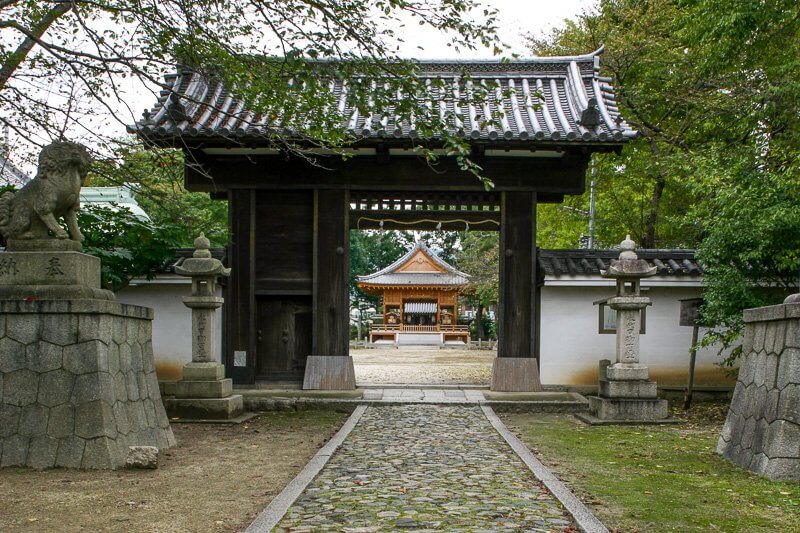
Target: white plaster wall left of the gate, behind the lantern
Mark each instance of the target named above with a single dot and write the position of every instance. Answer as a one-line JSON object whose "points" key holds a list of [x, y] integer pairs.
{"points": [[172, 325]]}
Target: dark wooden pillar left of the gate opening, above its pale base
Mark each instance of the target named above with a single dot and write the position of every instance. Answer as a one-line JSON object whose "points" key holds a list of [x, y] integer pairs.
{"points": [[331, 310]]}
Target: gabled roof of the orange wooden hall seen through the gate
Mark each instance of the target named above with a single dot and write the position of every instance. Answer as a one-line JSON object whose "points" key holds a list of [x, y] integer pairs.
{"points": [[392, 275]]}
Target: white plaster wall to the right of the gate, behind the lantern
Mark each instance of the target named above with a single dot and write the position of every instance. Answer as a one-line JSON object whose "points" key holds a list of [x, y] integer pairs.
{"points": [[571, 345]]}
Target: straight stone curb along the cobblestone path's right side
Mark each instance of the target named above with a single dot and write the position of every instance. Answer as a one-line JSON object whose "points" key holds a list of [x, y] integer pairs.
{"points": [[584, 519]]}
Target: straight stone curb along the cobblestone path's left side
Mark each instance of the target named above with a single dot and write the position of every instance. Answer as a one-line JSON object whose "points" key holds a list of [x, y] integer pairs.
{"points": [[273, 513]]}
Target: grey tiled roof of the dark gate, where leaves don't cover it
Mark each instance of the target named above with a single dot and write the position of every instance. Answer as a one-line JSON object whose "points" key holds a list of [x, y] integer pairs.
{"points": [[542, 100]]}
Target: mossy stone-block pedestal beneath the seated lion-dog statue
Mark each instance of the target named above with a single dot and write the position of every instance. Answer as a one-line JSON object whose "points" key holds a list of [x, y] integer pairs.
{"points": [[77, 378]]}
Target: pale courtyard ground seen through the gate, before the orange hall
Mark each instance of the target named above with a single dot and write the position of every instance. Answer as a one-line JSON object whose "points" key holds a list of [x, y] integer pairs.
{"points": [[423, 366]]}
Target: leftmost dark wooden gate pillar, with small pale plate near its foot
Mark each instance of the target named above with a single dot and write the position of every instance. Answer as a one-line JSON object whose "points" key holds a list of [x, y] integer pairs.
{"points": [[240, 309]]}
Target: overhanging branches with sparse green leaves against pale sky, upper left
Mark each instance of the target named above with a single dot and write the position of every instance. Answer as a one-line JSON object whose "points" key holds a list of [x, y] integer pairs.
{"points": [[70, 68]]}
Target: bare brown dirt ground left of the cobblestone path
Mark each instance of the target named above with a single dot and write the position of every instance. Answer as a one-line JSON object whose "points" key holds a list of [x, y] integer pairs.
{"points": [[218, 478]]}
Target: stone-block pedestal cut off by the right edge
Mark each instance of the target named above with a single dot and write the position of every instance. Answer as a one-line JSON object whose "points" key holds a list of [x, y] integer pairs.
{"points": [[762, 430]]}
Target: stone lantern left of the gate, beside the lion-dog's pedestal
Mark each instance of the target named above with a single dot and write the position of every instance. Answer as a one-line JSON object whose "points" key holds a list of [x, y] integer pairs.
{"points": [[204, 392]]}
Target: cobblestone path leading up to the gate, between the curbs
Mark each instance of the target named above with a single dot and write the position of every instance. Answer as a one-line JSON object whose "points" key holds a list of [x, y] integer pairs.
{"points": [[425, 467]]}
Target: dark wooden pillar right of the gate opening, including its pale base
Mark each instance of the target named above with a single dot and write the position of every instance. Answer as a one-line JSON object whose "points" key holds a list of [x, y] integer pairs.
{"points": [[516, 367]]}
